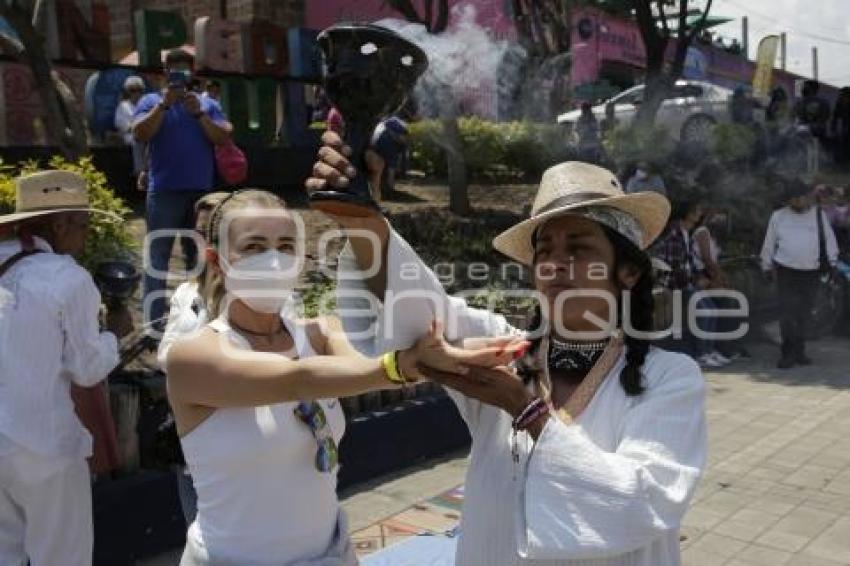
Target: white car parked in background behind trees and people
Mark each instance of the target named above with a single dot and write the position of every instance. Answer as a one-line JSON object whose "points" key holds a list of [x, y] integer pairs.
{"points": [[689, 112]]}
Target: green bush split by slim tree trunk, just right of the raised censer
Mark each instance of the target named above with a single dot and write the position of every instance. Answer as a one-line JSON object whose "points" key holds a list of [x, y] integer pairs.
{"points": [[491, 149]]}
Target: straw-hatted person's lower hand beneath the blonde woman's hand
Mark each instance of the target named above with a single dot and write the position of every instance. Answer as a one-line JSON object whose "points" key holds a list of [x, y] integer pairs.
{"points": [[499, 386]]}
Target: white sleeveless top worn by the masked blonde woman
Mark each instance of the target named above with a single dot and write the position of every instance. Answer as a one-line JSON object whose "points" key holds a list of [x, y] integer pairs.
{"points": [[261, 500]]}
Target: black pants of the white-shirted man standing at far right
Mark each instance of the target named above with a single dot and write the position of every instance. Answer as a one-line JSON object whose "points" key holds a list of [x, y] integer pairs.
{"points": [[796, 294]]}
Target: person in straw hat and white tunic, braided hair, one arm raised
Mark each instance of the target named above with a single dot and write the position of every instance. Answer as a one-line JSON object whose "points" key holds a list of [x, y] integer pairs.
{"points": [[590, 453]]}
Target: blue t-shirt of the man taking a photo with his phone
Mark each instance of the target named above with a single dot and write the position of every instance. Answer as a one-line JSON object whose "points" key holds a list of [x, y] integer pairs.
{"points": [[181, 156]]}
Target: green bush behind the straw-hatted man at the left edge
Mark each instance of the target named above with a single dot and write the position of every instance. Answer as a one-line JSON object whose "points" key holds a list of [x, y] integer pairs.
{"points": [[107, 238]]}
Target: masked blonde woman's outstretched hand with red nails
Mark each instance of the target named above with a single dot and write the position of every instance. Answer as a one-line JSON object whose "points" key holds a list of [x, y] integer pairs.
{"points": [[434, 352]]}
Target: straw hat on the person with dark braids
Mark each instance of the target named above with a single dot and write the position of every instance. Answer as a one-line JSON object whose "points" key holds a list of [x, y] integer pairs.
{"points": [[573, 187]]}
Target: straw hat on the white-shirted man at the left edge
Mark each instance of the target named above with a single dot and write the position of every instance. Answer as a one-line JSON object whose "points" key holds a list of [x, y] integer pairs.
{"points": [[49, 192]]}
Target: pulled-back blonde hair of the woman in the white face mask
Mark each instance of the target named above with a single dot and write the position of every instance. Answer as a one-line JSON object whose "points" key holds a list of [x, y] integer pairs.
{"points": [[213, 290]]}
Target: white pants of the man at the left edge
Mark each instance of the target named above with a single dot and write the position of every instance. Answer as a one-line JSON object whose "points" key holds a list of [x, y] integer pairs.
{"points": [[45, 511]]}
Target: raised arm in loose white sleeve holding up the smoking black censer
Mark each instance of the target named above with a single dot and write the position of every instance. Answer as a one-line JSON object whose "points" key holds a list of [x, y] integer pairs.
{"points": [[386, 295]]}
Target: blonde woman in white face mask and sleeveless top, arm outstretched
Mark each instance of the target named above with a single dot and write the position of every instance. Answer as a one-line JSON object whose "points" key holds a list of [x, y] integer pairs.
{"points": [[254, 393]]}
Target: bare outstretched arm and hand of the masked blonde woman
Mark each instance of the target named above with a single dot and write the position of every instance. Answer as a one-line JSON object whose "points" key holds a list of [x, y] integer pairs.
{"points": [[208, 370]]}
